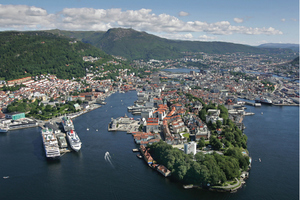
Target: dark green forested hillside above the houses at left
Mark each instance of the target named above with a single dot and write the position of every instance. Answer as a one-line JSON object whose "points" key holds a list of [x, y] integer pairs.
{"points": [[25, 54]]}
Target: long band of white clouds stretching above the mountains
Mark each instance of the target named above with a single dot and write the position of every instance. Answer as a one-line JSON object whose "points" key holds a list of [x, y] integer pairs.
{"points": [[29, 17]]}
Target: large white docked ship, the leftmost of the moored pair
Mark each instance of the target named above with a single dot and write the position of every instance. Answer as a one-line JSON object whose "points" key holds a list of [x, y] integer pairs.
{"points": [[50, 144]]}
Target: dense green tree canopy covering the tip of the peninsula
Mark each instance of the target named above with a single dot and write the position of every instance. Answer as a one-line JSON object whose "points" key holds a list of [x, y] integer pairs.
{"points": [[203, 169]]}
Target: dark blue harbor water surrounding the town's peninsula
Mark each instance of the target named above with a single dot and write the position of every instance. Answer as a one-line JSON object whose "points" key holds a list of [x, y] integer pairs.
{"points": [[106, 167]]}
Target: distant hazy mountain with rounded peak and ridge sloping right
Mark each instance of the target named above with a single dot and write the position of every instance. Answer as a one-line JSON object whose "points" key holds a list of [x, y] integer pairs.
{"points": [[133, 44]]}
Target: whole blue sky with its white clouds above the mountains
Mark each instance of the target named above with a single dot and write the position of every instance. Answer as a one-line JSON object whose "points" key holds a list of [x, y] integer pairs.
{"points": [[250, 22]]}
